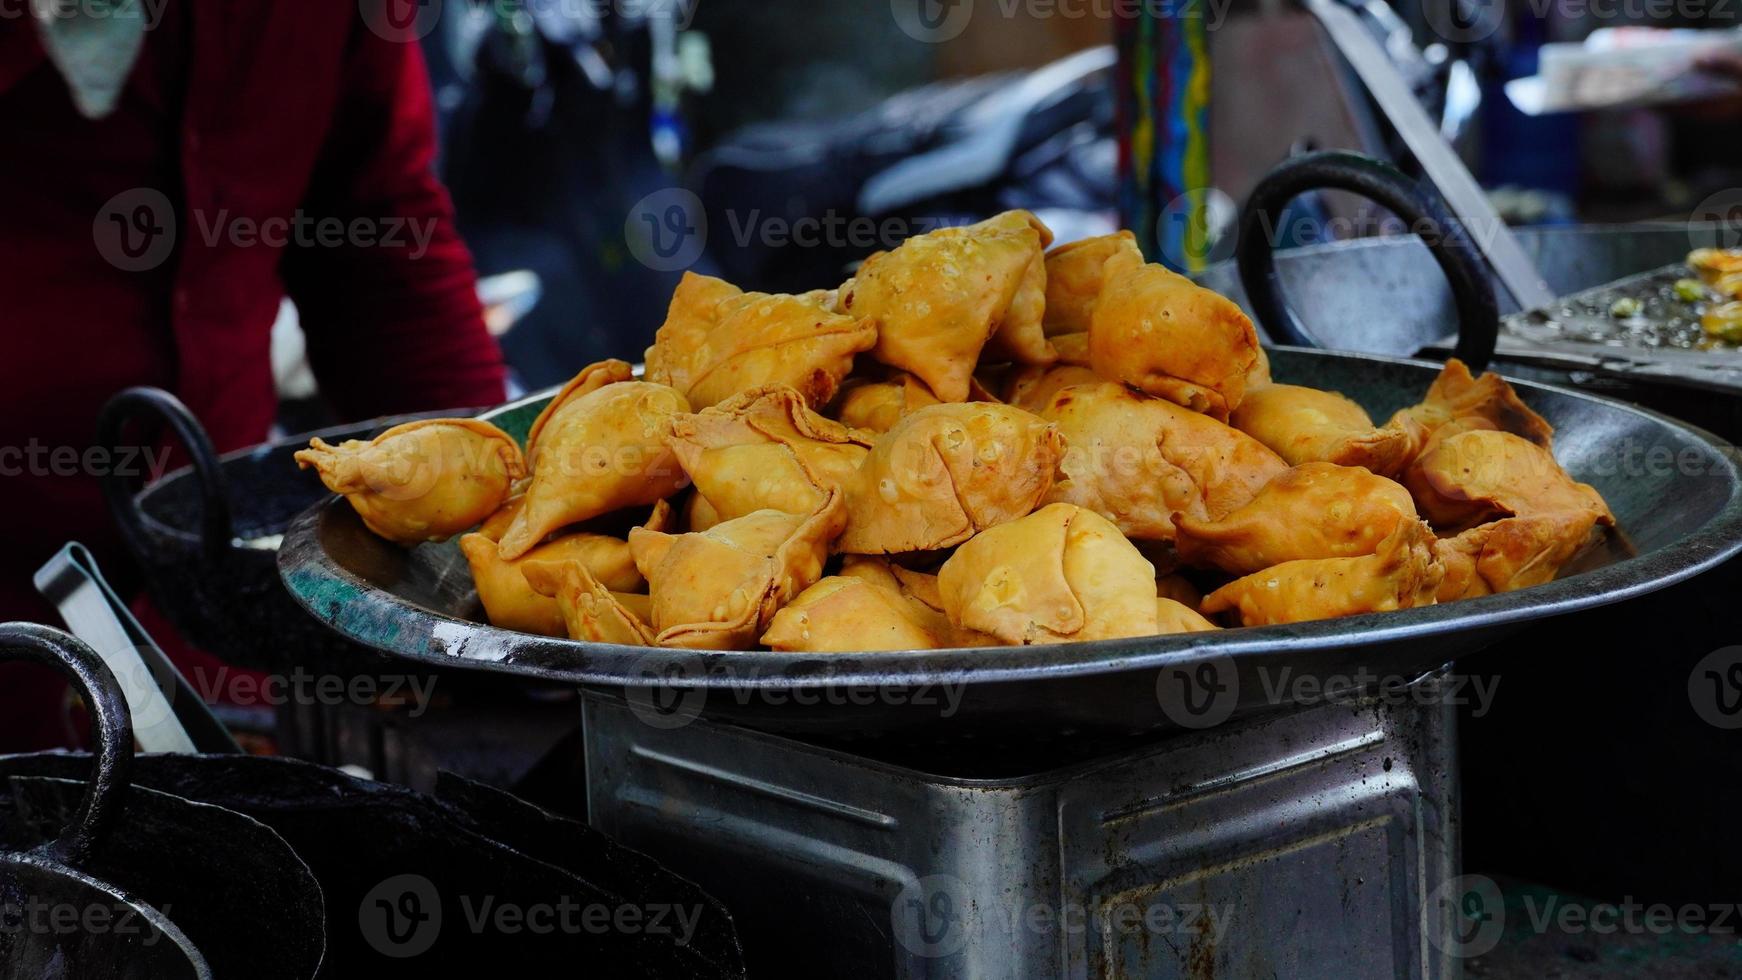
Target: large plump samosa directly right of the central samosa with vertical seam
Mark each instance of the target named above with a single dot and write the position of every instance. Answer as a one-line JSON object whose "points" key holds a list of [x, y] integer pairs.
{"points": [[1138, 460]]}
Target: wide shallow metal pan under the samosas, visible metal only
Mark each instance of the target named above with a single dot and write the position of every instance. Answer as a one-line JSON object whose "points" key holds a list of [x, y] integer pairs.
{"points": [[1675, 492]]}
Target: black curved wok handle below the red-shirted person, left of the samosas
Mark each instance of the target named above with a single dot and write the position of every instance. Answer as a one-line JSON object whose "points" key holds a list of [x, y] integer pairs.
{"points": [[119, 493]]}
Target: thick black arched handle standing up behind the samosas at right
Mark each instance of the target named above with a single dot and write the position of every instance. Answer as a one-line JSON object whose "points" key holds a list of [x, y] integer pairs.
{"points": [[1389, 187]]}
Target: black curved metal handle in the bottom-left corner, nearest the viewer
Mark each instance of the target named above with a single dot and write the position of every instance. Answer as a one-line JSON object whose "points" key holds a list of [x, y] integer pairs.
{"points": [[111, 720]]}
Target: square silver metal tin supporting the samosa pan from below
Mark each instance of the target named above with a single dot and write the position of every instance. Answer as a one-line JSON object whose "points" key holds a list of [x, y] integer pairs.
{"points": [[1297, 845]]}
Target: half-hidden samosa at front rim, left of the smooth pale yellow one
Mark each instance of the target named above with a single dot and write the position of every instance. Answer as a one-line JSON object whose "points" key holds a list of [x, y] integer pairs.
{"points": [[867, 607]]}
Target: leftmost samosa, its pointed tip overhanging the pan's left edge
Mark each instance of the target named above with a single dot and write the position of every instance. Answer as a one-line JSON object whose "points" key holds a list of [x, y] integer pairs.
{"points": [[422, 481]]}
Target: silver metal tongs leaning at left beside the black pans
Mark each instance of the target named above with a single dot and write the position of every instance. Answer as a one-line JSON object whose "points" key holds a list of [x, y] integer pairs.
{"points": [[168, 715]]}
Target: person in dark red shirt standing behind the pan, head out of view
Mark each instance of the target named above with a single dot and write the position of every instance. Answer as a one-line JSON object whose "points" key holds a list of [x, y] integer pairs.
{"points": [[163, 185]]}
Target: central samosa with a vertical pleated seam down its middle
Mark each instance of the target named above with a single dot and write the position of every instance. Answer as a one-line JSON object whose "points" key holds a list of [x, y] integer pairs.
{"points": [[947, 473]]}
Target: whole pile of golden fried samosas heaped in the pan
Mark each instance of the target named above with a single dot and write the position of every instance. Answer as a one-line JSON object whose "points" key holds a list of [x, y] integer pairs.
{"points": [[975, 441]]}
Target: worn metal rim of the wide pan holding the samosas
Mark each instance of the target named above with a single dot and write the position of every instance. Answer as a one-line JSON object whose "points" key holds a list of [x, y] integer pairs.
{"points": [[490, 648]]}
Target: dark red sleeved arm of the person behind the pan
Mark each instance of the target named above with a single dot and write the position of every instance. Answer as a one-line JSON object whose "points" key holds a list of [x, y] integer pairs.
{"points": [[391, 314]]}
